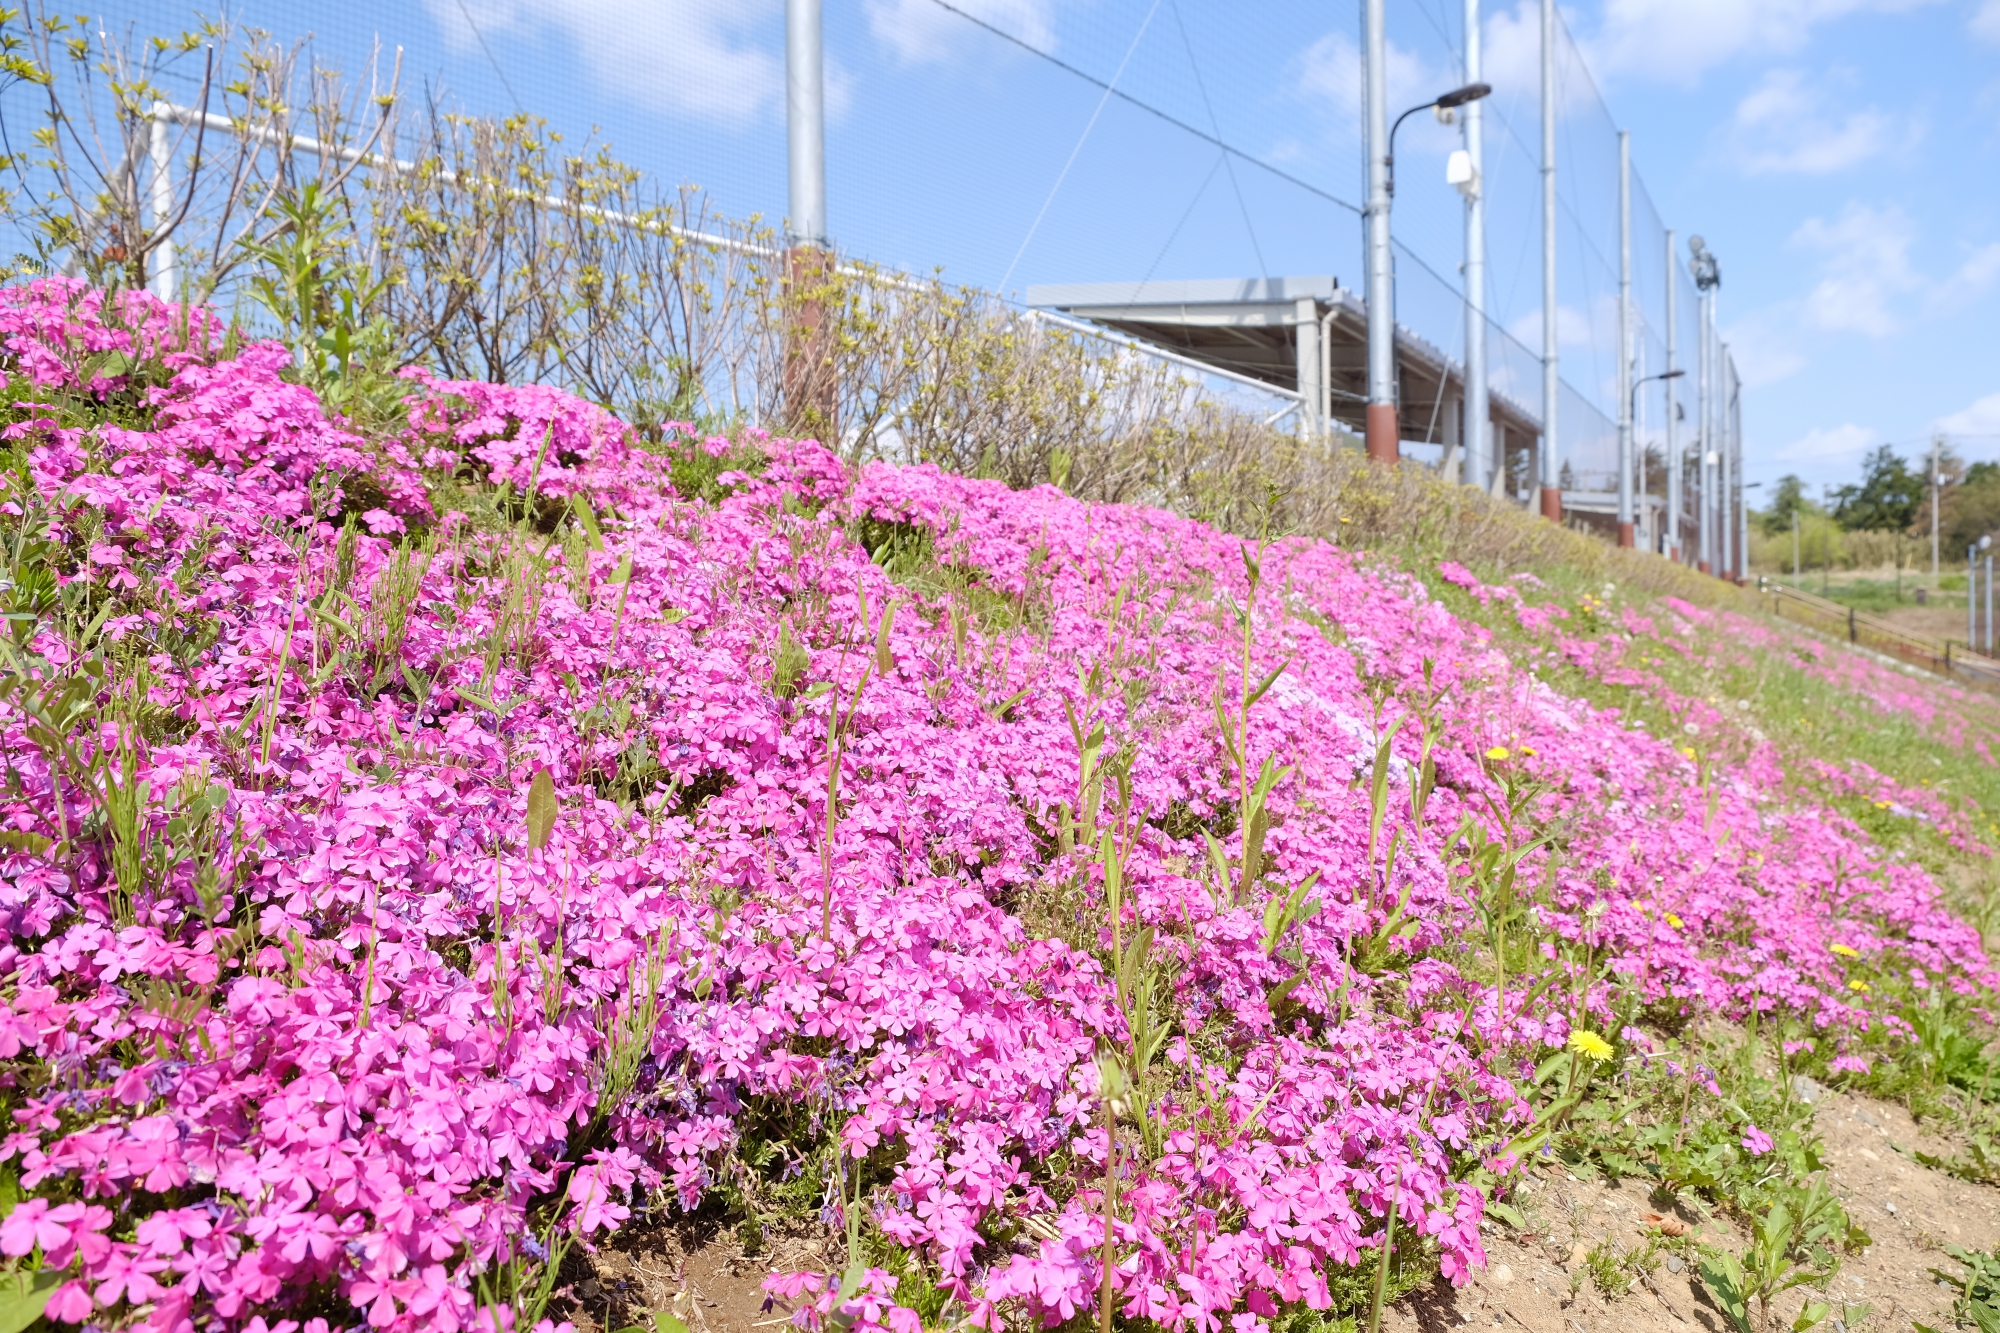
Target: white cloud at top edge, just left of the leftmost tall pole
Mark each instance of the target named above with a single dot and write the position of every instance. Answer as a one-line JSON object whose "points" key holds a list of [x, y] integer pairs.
{"points": [[713, 59]]}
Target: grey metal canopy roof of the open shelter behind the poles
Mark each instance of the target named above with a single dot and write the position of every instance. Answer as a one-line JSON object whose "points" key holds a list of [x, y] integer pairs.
{"points": [[1251, 327]]}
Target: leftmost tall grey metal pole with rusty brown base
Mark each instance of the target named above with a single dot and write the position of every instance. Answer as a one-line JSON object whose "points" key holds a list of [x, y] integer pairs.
{"points": [[809, 389]]}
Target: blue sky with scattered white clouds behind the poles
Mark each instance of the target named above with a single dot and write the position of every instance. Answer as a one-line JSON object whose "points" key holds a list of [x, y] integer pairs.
{"points": [[1839, 157]]}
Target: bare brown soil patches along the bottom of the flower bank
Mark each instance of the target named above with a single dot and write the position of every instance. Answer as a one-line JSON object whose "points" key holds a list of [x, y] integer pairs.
{"points": [[1535, 1280]]}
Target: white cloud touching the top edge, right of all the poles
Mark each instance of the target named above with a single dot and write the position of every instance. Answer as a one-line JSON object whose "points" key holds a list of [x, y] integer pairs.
{"points": [[1677, 41]]}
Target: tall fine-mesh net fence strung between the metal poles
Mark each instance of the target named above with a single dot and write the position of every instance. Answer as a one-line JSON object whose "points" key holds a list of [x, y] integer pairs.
{"points": [[1001, 145]]}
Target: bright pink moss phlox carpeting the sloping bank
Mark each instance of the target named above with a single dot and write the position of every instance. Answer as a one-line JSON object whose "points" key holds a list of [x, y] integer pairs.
{"points": [[429, 848]]}
